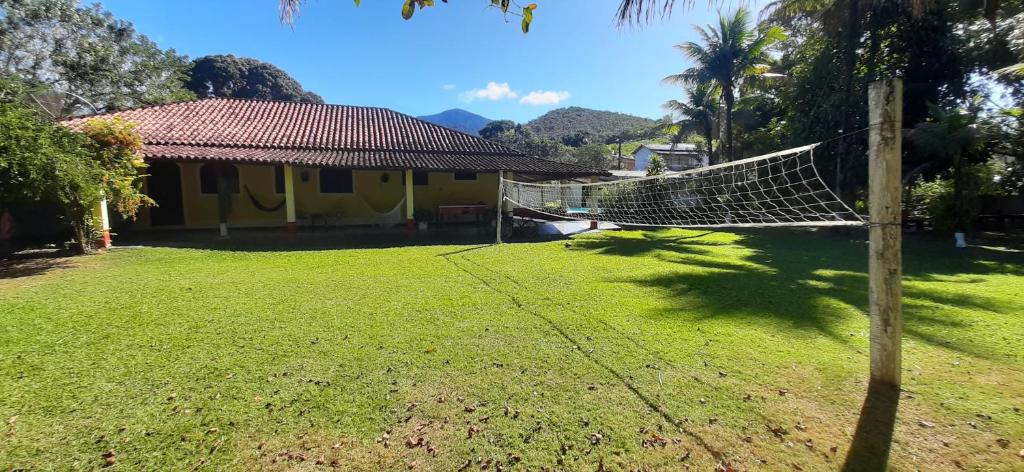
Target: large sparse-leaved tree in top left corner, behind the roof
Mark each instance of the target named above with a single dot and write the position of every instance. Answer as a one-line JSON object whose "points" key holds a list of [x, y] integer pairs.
{"points": [[89, 55]]}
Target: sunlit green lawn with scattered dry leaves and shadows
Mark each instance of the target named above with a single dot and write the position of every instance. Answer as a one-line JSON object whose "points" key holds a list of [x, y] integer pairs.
{"points": [[627, 351]]}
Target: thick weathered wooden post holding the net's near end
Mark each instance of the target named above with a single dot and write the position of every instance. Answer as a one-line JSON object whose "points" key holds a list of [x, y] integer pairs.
{"points": [[885, 195]]}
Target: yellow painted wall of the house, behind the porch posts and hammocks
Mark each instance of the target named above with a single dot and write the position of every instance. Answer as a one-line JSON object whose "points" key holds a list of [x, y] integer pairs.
{"points": [[370, 198]]}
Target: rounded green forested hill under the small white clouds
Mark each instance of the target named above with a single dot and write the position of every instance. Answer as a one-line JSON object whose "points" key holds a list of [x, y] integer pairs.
{"points": [[562, 123]]}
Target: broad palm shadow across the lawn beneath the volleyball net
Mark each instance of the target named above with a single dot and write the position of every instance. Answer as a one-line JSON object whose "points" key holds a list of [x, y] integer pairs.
{"points": [[804, 279]]}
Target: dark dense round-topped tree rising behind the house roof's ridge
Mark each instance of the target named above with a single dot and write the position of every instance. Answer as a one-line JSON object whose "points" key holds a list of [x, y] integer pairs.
{"points": [[228, 76]]}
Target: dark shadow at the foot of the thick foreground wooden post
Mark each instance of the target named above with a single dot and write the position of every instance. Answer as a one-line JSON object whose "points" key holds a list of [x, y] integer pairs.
{"points": [[873, 439]]}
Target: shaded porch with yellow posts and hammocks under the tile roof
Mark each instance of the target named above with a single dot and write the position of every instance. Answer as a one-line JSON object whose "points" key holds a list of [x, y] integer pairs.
{"points": [[212, 195]]}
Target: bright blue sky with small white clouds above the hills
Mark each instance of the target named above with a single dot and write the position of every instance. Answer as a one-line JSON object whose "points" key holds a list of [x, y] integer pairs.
{"points": [[460, 55]]}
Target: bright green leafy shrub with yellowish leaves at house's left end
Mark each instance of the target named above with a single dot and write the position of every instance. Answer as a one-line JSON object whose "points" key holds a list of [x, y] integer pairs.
{"points": [[45, 161]]}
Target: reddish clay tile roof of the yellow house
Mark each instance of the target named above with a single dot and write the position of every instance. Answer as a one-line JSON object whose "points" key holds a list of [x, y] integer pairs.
{"points": [[316, 135]]}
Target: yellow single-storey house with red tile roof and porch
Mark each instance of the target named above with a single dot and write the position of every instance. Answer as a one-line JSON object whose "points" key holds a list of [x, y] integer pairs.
{"points": [[217, 162]]}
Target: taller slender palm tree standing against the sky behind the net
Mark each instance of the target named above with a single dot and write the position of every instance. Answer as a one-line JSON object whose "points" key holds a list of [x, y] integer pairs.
{"points": [[732, 55]]}
